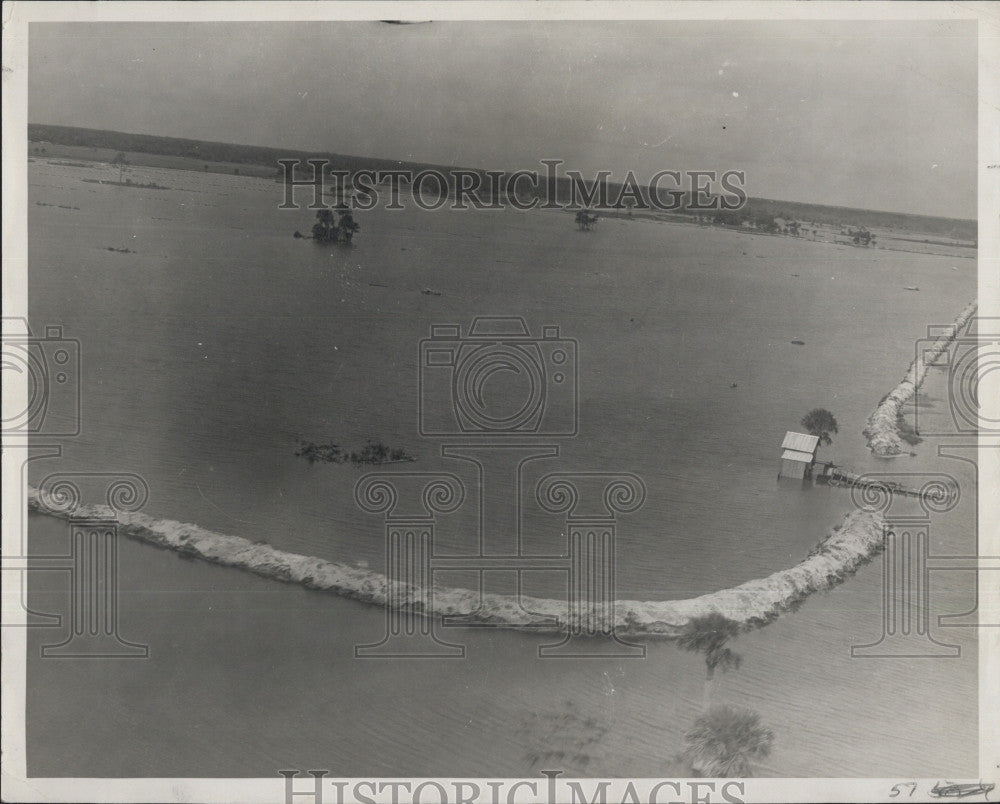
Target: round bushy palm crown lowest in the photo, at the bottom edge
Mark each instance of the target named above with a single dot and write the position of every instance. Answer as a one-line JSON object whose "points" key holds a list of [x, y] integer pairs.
{"points": [[725, 742]]}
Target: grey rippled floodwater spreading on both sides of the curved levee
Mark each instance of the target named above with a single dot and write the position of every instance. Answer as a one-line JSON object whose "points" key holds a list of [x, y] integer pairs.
{"points": [[220, 341]]}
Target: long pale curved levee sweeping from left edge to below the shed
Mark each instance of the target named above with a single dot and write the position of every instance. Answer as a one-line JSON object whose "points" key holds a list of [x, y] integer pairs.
{"points": [[754, 604]]}
